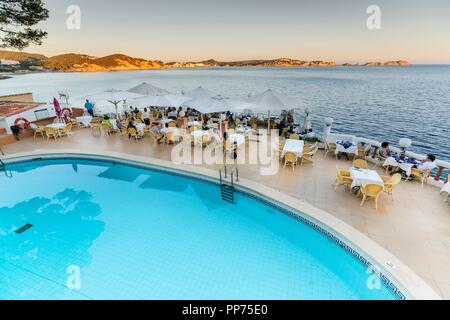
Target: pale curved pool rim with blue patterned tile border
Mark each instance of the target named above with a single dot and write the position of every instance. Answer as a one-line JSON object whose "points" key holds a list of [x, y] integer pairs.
{"points": [[400, 276]]}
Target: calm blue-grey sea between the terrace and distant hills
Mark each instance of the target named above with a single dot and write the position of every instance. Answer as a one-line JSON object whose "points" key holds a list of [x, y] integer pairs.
{"points": [[380, 103]]}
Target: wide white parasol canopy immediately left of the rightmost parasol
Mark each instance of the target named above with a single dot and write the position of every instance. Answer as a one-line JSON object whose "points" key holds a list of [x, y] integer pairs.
{"points": [[218, 104]]}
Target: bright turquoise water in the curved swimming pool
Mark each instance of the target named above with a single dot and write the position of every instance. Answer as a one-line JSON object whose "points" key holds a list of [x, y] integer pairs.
{"points": [[134, 233]]}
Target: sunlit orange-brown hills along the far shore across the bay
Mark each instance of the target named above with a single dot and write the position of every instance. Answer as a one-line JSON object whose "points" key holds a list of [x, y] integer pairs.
{"points": [[73, 62]]}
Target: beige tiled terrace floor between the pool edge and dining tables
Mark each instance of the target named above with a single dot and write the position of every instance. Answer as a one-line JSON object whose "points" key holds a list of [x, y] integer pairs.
{"points": [[415, 227]]}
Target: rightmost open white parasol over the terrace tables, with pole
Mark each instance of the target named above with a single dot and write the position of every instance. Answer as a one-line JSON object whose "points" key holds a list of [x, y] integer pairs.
{"points": [[271, 100]]}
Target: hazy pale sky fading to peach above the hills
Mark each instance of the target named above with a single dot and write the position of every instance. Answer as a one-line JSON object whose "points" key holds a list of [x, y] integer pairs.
{"points": [[415, 30]]}
